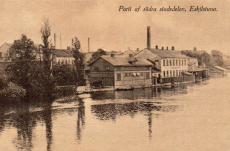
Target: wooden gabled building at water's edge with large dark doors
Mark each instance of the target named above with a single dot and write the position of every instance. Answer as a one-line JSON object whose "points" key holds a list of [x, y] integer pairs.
{"points": [[120, 72]]}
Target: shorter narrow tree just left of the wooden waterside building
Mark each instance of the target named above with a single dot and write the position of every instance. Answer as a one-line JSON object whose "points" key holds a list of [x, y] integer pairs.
{"points": [[78, 62]]}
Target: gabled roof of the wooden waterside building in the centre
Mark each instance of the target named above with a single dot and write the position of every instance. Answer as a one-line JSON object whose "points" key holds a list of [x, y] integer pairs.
{"points": [[124, 61]]}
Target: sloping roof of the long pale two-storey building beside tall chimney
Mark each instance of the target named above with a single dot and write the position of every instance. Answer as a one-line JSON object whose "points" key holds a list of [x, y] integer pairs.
{"points": [[167, 53]]}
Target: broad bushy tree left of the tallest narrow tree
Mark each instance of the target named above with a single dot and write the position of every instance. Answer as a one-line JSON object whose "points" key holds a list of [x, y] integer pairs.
{"points": [[22, 54]]}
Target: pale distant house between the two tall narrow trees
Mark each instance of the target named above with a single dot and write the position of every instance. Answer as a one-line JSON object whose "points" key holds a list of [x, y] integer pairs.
{"points": [[61, 57]]}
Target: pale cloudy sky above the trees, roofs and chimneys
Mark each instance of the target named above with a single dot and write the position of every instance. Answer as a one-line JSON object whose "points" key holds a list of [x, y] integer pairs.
{"points": [[110, 29]]}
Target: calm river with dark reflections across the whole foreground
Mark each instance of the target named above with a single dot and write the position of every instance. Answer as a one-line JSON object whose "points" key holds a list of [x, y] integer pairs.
{"points": [[189, 117]]}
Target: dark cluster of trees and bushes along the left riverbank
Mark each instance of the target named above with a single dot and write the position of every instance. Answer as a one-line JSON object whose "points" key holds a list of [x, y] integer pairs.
{"points": [[31, 73]]}
